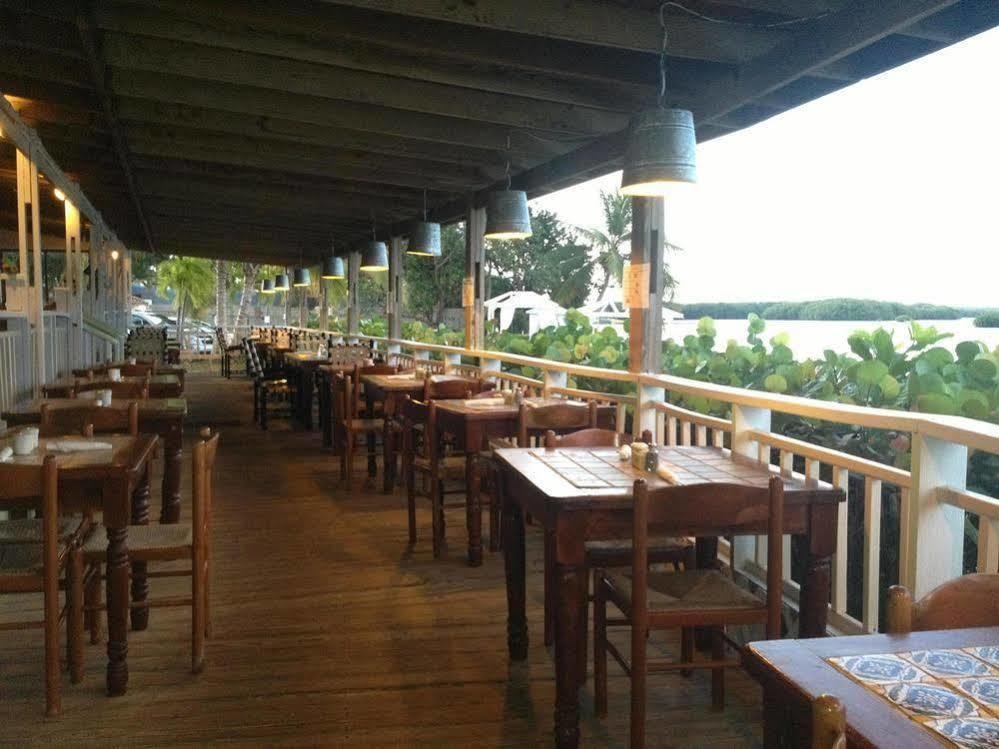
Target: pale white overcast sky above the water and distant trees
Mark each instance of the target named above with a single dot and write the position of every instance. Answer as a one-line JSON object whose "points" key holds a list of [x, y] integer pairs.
{"points": [[887, 189]]}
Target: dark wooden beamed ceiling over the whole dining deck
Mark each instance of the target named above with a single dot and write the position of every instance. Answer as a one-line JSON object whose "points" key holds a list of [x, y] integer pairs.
{"points": [[262, 130]]}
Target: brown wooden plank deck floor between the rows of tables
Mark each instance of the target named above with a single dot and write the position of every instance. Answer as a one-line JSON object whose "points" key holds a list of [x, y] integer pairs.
{"points": [[331, 631]]}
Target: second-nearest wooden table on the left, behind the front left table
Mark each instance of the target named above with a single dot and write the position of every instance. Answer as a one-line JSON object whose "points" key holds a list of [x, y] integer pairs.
{"points": [[160, 416]]}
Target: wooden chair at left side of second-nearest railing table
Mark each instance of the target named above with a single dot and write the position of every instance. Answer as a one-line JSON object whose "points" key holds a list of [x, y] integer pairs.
{"points": [[423, 441]]}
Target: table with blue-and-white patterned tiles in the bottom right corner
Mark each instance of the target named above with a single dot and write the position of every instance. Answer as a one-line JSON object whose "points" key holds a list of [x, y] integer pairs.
{"points": [[872, 687]]}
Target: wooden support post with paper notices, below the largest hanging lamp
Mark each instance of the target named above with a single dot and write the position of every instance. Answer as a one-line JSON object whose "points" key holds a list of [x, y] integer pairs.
{"points": [[647, 243]]}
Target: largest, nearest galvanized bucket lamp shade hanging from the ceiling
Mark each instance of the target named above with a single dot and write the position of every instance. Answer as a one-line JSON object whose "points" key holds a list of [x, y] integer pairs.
{"points": [[661, 153]]}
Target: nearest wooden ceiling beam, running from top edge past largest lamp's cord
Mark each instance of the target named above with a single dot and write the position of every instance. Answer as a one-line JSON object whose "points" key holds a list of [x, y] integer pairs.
{"points": [[591, 22]]}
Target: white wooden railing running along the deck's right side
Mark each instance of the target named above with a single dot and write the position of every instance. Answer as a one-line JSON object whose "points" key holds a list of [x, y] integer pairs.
{"points": [[933, 498]]}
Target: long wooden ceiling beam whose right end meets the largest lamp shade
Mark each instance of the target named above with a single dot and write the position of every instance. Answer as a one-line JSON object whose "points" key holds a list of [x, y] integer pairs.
{"points": [[245, 69]]}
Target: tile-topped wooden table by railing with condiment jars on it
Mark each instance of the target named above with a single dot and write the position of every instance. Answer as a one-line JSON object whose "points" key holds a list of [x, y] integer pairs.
{"points": [[591, 501]]}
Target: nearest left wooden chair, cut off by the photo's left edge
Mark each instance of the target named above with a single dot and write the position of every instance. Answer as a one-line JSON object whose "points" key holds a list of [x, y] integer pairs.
{"points": [[34, 563]]}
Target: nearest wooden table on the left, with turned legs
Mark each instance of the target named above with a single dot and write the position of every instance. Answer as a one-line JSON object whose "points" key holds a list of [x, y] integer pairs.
{"points": [[116, 483]]}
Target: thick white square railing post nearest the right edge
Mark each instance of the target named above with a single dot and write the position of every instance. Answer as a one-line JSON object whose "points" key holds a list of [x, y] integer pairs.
{"points": [[935, 543]]}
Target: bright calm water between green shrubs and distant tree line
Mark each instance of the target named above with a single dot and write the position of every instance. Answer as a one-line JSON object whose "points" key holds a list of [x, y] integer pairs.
{"points": [[809, 338]]}
